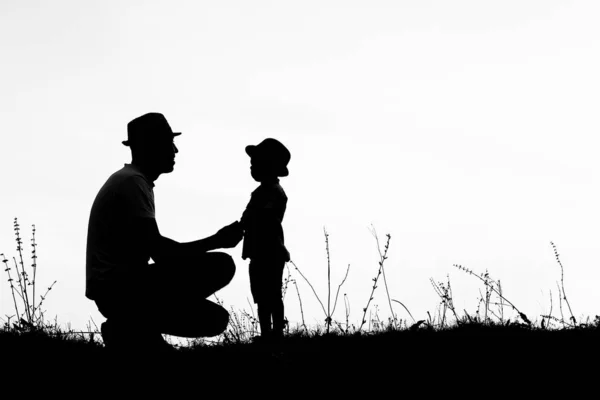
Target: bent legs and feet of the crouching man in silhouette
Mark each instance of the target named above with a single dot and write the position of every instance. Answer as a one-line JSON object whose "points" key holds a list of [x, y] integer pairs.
{"points": [[167, 298]]}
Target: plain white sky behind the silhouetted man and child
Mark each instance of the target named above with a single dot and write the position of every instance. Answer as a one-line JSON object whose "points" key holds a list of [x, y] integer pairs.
{"points": [[465, 129]]}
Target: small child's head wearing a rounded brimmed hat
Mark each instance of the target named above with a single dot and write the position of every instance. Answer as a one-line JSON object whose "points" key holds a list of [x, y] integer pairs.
{"points": [[268, 160]]}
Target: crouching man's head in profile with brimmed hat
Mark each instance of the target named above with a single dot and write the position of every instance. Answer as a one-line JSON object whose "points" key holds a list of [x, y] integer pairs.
{"points": [[150, 138]]}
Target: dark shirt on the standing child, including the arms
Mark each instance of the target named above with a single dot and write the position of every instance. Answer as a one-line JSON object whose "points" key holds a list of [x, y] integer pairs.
{"points": [[261, 221]]}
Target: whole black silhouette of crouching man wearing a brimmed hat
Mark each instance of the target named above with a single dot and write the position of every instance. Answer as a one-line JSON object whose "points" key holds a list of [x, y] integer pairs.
{"points": [[143, 300]]}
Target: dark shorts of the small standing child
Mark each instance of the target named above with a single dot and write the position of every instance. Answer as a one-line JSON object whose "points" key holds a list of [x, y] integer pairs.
{"points": [[266, 280]]}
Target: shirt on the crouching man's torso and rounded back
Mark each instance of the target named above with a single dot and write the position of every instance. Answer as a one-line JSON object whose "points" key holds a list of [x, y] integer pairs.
{"points": [[113, 249]]}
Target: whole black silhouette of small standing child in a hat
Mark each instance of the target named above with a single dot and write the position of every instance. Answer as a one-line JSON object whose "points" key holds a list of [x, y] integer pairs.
{"points": [[263, 234]]}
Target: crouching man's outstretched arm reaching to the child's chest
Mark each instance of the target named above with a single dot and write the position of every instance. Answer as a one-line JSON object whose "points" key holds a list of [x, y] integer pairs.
{"points": [[161, 248]]}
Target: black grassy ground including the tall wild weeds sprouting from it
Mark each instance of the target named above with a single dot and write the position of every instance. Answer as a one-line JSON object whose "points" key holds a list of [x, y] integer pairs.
{"points": [[473, 356]]}
